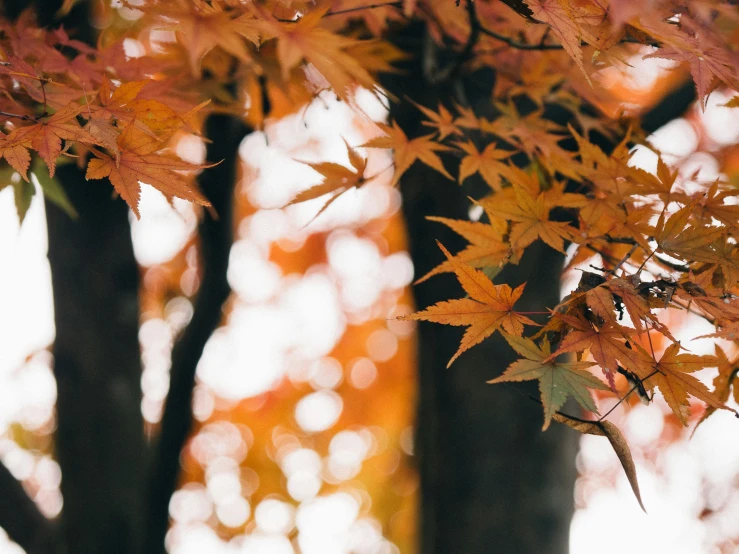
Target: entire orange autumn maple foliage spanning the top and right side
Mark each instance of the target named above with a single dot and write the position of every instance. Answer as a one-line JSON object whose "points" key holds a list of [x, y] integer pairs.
{"points": [[656, 243]]}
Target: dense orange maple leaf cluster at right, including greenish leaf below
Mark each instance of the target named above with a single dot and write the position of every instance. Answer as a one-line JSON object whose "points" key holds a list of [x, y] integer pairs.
{"points": [[638, 225]]}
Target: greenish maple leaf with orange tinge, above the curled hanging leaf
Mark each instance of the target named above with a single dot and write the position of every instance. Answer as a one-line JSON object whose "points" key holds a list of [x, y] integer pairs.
{"points": [[557, 380]]}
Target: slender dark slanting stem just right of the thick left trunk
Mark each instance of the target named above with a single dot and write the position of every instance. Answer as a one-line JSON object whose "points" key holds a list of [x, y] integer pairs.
{"points": [[216, 237]]}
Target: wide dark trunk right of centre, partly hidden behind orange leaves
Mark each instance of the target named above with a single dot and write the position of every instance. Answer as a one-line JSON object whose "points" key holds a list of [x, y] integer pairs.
{"points": [[490, 480]]}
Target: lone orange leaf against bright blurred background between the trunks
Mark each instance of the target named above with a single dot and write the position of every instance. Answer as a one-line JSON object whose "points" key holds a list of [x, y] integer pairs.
{"points": [[337, 179]]}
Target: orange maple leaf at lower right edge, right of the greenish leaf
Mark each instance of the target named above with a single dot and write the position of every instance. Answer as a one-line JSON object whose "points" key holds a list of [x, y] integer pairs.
{"points": [[672, 375]]}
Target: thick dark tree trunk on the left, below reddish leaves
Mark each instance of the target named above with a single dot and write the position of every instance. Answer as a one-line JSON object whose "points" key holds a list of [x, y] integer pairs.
{"points": [[99, 441]]}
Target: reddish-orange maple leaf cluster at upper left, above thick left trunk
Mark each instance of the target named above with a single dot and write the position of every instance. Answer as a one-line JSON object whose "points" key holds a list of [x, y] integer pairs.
{"points": [[61, 100]]}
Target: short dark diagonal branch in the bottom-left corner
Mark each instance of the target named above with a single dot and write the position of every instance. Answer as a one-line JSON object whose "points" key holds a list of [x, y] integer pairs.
{"points": [[21, 518]]}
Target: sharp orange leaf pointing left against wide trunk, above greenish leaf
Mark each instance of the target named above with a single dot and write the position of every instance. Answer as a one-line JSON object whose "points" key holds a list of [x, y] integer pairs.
{"points": [[489, 307]]}
